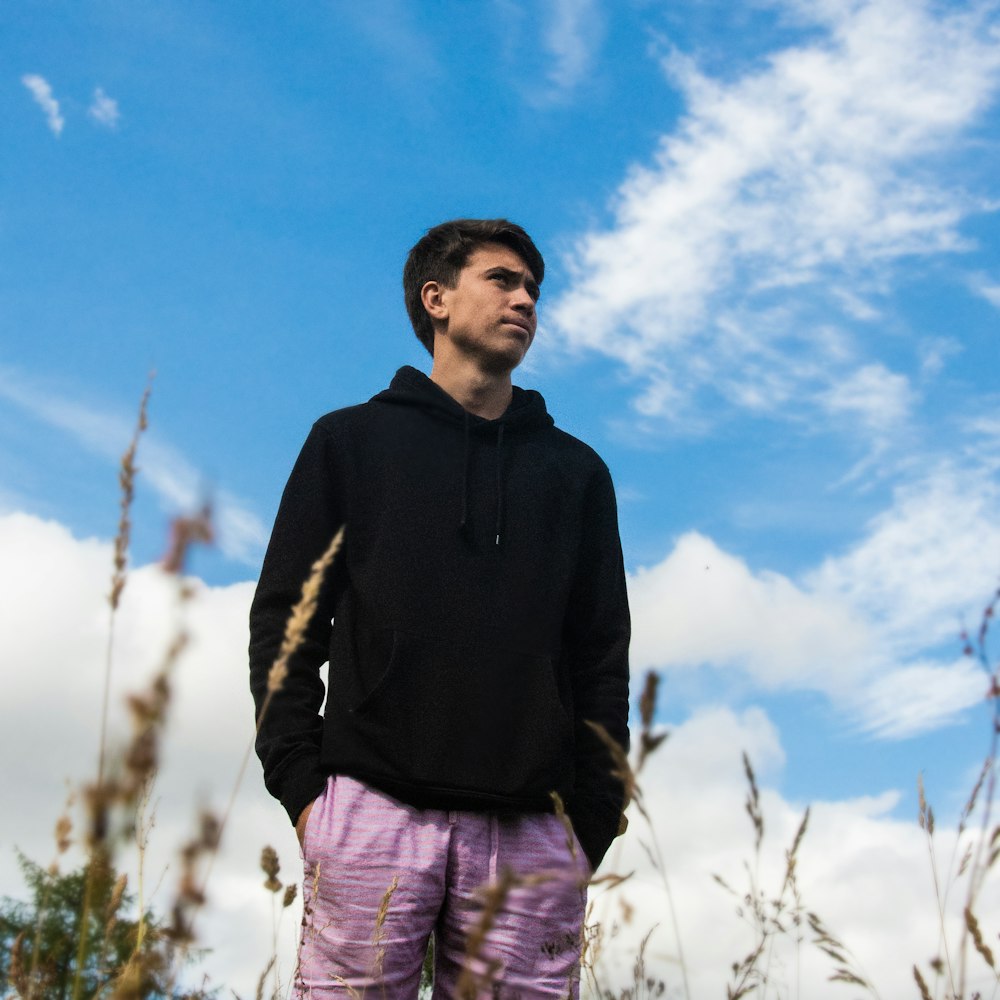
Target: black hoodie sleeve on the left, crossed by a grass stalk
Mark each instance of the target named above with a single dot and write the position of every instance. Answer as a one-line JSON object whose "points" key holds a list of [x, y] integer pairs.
{"points": [[290, 731]]}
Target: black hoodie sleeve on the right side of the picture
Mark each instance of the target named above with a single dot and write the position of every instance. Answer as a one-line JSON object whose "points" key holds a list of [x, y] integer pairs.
{"points": [[597, 636]]}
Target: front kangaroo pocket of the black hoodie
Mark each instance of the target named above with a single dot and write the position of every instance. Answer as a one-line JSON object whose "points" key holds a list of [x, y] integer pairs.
{"points": [[474, 718]]}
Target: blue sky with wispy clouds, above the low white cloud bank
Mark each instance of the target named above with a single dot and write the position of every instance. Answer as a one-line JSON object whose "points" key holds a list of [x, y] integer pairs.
{"points": [[771, 304]]}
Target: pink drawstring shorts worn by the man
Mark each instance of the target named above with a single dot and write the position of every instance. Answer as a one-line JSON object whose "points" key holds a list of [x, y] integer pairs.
{"points": [[381, 876]]}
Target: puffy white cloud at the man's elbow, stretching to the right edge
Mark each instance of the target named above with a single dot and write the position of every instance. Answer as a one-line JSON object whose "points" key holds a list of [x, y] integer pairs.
{"points": [[861, 627]]}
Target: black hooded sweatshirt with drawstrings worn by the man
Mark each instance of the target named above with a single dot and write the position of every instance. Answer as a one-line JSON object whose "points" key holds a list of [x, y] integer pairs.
{"points": [[474, 620]]}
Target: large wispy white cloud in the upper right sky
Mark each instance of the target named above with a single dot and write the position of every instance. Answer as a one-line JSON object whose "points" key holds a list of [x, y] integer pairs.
{"points": [[780, 197]]}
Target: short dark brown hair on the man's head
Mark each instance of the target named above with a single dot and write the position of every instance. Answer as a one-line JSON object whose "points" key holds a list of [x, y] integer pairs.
{"points": [[443, 251]]}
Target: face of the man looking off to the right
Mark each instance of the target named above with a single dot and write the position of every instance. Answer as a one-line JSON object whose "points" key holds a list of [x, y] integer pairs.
{"points": [[491, 309]]}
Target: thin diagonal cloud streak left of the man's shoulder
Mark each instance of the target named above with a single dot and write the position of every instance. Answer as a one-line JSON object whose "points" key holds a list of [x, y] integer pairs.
{"points": [[180, 487]]}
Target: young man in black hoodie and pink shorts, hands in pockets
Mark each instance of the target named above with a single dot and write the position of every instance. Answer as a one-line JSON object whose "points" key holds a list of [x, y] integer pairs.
{"points": [[475, 621]]}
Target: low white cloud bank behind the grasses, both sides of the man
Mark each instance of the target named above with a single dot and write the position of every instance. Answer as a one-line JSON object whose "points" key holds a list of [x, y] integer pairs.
{"points": [[53, 616]]}
